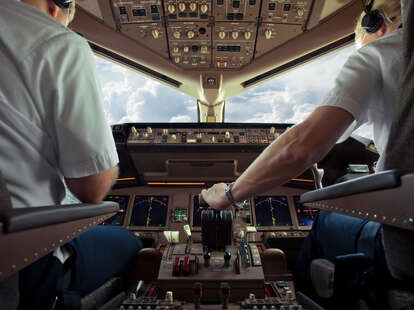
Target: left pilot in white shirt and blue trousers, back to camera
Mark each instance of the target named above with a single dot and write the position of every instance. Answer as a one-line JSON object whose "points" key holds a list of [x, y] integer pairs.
{"points": [[54, 132]]}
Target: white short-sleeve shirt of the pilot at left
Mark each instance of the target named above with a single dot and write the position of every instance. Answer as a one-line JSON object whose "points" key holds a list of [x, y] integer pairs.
{"points": [[52, 121]]}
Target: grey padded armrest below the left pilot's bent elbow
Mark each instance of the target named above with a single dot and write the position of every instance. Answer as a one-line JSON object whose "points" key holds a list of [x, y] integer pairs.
{"points": [[19, 219]]}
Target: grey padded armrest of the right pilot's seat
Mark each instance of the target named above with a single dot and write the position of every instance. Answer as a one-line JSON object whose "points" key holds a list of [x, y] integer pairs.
{"points": [[375, 182]]}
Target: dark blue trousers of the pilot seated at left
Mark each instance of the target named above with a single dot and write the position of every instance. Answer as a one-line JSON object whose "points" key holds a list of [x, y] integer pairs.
{"points": [[99, 255]]}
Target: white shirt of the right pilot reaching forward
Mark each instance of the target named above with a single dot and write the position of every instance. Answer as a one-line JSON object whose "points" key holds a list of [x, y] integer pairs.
{"points": [[368, 86]]}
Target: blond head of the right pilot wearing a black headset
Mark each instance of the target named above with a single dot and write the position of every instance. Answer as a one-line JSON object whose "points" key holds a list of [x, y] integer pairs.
{"points": [[390, 12]]}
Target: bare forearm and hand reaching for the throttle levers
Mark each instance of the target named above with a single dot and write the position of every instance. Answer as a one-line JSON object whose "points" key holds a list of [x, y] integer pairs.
{"points": [[294, 152]]}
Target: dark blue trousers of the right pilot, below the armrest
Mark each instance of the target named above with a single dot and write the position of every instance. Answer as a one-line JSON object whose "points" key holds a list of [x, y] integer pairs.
{"points": [[334, 235]]}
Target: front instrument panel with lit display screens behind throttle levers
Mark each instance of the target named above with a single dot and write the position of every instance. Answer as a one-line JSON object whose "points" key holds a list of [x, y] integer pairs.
{"points": [[148, 211]]}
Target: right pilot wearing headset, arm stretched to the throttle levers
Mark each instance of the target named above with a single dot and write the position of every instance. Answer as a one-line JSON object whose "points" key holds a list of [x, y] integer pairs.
{"points": [[365, 91]]}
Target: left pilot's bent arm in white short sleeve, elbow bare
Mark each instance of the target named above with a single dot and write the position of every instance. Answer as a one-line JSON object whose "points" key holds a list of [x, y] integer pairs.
{"points": [[85, 147]]}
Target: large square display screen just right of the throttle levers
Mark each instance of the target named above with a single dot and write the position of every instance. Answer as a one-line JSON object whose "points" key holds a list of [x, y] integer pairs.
{"points": [[272, 211]]}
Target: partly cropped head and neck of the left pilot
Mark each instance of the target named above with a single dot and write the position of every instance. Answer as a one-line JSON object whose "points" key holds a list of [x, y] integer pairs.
{"points": [[50, 7]]}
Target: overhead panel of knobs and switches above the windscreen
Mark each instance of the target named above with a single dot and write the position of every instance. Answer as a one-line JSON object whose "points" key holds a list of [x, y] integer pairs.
{"points": [[211, 34]]}
